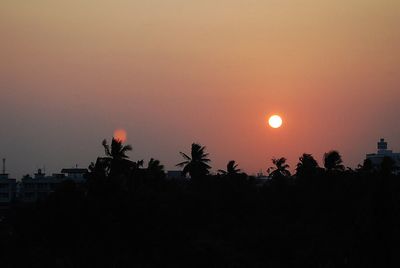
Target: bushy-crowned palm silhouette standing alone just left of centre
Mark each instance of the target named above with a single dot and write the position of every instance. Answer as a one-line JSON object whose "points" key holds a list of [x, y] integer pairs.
{"points": [[196, 164]]}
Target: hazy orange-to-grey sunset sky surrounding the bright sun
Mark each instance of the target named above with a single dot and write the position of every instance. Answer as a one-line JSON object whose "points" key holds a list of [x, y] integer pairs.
{"points": [[173, 72]]}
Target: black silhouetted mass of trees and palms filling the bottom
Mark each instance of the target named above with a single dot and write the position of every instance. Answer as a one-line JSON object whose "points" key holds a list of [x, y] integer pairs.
{"points": [[130, 216]]}
